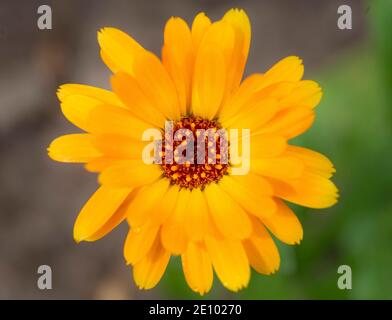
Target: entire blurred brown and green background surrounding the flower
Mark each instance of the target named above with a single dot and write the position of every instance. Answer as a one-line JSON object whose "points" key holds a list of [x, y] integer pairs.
{"points": [[40, 199]]}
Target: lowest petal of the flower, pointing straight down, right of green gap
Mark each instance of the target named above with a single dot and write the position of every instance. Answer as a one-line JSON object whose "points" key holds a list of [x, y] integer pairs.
{"points": [[197, 268]]}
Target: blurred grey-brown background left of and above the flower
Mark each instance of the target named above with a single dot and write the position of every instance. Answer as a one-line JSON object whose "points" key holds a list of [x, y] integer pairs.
{"points": [[40, 199]]}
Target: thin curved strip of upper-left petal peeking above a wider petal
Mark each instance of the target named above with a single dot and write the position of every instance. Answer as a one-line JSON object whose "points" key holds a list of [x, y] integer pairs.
{"points": [[103, 96]]}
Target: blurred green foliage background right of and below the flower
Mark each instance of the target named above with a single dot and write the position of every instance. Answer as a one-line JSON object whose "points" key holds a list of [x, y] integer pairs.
{"points": [[353, 127]]}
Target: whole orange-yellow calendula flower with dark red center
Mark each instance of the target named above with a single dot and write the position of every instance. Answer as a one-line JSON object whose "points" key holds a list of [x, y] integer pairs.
{"points": [[214, 219]]}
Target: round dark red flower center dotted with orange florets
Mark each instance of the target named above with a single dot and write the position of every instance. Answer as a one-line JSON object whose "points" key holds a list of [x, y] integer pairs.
{"points": [[209, 159]]}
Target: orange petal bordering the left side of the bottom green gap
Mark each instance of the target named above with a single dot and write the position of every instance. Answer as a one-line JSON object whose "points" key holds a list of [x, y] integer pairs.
{"points": [[148, 271]]}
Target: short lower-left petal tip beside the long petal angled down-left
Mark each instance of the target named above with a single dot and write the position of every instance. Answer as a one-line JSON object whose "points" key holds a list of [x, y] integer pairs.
{"points": [[139, 242]]}
